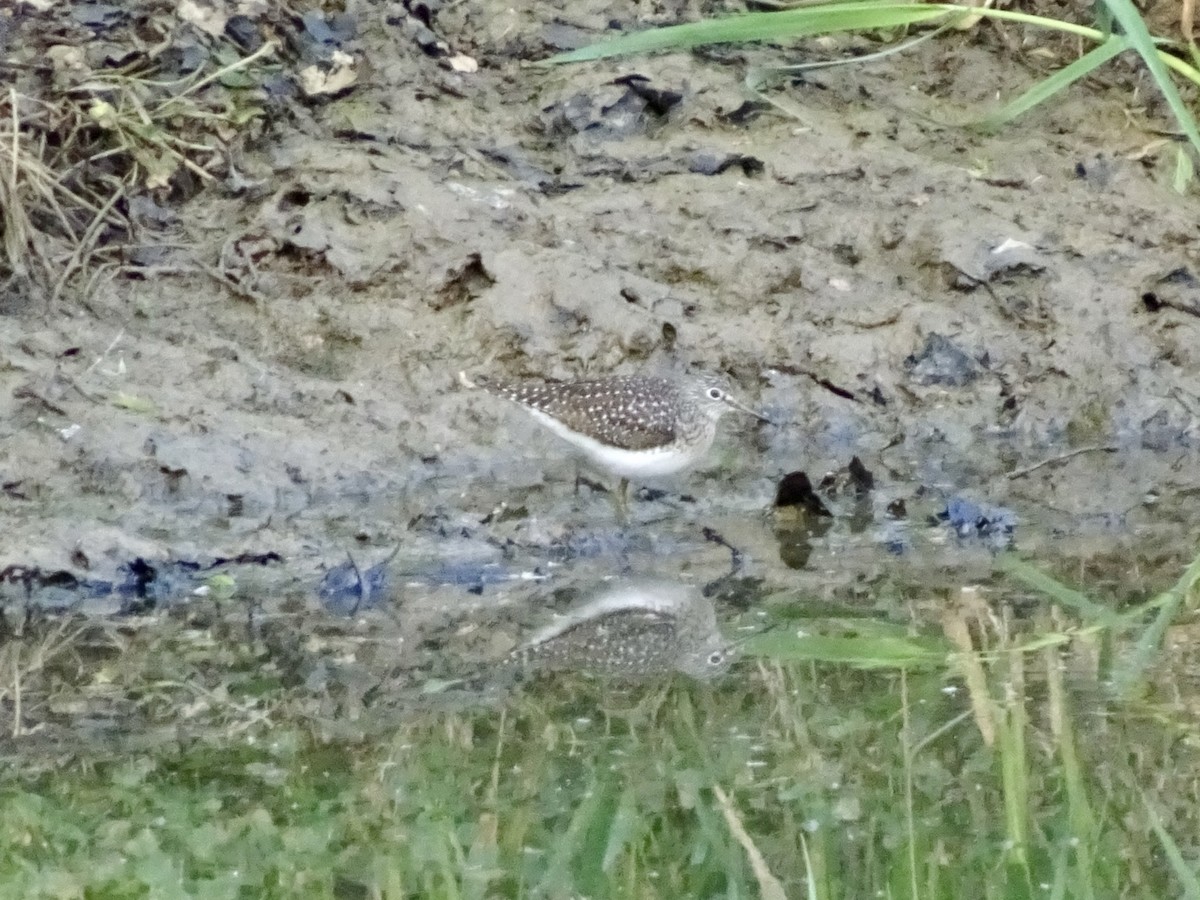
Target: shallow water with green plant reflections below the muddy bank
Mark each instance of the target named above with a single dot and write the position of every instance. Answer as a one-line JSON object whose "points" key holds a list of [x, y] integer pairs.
{"points": [[230, 742]]}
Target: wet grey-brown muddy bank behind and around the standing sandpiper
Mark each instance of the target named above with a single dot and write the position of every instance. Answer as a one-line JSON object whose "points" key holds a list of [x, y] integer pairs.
{"points": [[947, 307]]}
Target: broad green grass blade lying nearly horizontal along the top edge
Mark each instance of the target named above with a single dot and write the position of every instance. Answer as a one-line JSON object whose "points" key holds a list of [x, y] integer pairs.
{"points": [[827, 19]]}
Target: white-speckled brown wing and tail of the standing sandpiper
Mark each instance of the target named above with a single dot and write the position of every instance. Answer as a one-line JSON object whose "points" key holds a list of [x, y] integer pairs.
{"points": [[634, 413]]}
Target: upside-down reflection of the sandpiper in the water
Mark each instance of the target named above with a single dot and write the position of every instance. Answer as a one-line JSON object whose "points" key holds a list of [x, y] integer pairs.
{"points": [[638, 629]]}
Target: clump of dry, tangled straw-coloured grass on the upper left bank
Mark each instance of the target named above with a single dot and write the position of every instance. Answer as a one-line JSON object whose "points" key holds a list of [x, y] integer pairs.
{"points": [[86, 163]]}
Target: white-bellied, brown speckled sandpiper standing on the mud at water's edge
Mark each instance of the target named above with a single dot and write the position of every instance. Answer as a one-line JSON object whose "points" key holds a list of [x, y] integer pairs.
{"points": [[635, 427]]}
